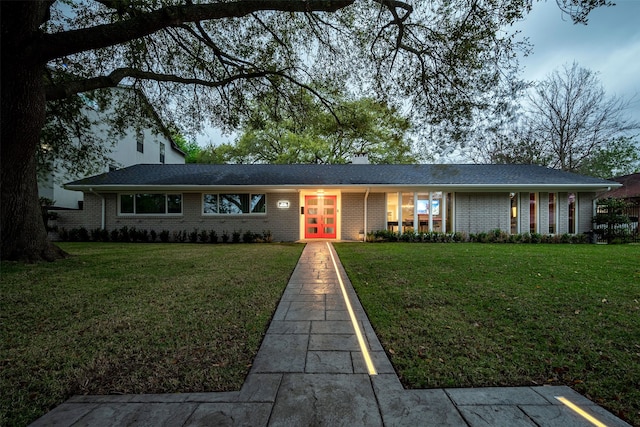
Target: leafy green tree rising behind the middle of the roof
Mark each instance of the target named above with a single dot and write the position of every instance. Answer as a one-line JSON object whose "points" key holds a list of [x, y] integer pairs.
{"points": [[304, 131]]}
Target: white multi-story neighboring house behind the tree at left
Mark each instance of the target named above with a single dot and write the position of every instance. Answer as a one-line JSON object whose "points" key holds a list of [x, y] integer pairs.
{"points": [[135, 146]]}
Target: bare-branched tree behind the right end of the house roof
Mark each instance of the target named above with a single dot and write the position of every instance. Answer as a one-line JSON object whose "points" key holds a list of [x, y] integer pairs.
{"points": [[566, 122]]}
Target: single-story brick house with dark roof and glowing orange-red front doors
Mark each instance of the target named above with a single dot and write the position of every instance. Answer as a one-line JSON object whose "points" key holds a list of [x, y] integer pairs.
{"points": [[341, 202]]}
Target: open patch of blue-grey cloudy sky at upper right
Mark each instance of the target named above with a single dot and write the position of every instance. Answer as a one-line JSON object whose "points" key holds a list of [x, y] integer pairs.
{"points": [[609, 44]]}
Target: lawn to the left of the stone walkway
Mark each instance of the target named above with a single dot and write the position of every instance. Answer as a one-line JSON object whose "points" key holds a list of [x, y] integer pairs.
{"points": [[134, 318]]}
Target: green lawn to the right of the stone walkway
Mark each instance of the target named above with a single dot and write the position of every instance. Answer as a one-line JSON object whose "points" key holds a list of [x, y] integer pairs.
{"points": [[473, 315]]}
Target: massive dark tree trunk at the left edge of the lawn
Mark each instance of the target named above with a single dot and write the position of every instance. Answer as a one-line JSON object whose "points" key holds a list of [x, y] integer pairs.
{"points": [[24, 236]]}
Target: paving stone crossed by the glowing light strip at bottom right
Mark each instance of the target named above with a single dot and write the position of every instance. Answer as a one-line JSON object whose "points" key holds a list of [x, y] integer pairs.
{"points": [[562, 416]]}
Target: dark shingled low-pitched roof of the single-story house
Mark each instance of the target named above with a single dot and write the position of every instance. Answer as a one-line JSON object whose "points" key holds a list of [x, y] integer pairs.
{"points": [[186, 175]]}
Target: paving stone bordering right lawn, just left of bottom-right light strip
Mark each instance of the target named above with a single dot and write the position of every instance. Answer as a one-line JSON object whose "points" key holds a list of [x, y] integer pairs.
{"points": [[495, 396]]}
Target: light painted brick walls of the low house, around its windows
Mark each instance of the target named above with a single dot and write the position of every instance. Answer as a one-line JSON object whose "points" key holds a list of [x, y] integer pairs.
{"points": [[474, 213]]}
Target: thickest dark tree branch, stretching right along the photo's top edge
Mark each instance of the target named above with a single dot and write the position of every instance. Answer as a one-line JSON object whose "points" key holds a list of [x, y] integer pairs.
{"points": [[50, 46]]}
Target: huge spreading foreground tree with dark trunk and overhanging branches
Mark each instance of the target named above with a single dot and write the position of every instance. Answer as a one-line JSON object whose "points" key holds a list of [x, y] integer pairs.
{"points": [[212, 60]]}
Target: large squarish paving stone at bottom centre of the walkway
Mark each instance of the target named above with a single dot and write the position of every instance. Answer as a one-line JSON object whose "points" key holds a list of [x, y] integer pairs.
{"points": [[325, 400]]}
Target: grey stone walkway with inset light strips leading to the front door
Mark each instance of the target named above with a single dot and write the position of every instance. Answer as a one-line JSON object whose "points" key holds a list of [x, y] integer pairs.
{"points": [[312, 370]]}
